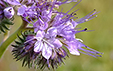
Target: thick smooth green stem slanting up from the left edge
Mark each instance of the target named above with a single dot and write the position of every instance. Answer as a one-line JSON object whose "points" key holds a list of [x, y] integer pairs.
{"points": [[11, 38]]}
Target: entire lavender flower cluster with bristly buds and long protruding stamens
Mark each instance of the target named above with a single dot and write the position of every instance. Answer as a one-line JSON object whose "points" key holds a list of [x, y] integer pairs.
{"points": [[53, 32]]}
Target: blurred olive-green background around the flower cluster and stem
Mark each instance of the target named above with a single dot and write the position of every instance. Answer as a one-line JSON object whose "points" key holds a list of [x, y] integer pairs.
{"points": [[101, 39]]}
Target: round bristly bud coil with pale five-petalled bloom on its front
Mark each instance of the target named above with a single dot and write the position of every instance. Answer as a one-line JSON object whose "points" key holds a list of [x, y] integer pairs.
{"points": [[42, 50]]}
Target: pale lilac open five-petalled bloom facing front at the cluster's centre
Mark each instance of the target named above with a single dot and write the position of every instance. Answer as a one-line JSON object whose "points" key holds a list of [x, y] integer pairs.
{"points": [[46, 42]]}
